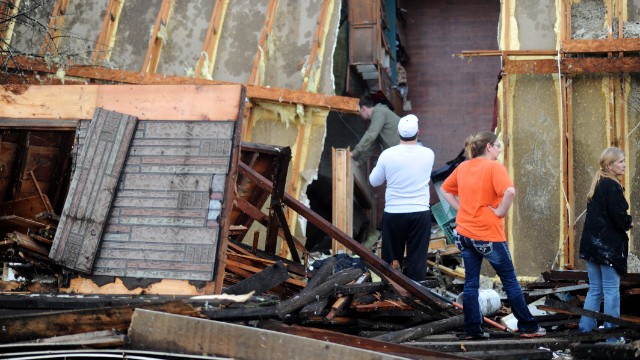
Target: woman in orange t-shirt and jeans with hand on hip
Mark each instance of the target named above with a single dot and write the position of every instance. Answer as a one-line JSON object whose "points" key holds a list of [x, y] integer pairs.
{"points": [[484, 194]]}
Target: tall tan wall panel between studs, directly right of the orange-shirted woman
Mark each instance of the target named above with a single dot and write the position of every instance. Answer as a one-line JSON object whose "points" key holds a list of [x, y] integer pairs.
{"points": [[534, 139]]}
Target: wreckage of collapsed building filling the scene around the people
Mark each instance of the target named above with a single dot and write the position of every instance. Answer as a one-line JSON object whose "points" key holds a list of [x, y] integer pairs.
{"points": [[156, 155]]}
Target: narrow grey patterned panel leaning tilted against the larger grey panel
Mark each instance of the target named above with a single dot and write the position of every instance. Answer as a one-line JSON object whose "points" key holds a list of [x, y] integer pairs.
{"points": [[92, 190]]}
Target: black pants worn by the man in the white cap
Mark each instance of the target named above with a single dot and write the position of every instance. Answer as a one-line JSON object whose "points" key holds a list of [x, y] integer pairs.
{"points": [[412, 230]]}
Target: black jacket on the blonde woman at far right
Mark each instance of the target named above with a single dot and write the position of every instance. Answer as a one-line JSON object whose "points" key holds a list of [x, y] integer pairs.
{"points": [[604, 239]]}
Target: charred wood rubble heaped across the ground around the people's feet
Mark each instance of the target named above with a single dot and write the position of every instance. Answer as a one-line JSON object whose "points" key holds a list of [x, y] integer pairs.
{"points": [[351, 299]]}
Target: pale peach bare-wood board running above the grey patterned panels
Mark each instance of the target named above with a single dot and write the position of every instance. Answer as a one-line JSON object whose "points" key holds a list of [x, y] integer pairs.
{"points": [[146, 102]]}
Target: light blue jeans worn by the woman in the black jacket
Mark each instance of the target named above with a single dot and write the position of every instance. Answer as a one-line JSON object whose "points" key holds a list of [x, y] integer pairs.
{"points": [[603, 280]]}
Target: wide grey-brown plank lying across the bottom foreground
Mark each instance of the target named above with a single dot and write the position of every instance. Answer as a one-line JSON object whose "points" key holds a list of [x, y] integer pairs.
{"points": [[152, 330]]}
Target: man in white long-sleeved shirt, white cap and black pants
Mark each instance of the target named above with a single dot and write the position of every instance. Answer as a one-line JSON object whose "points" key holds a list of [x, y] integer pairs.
{"points": [[406, 168]]}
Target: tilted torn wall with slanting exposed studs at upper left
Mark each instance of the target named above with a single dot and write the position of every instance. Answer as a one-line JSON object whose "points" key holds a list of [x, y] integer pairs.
{"points": [[272, 45]]}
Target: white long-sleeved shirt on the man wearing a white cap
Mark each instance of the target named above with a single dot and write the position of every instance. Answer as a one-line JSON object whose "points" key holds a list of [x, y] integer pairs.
{"points": [[407, 170]]}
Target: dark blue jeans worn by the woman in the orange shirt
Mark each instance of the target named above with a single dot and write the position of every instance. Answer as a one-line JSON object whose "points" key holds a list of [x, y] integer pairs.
{"points": [[497, 253]]}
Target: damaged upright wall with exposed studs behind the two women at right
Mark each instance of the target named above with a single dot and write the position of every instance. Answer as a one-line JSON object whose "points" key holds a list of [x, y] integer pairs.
{"points": [[552, 176]]}
